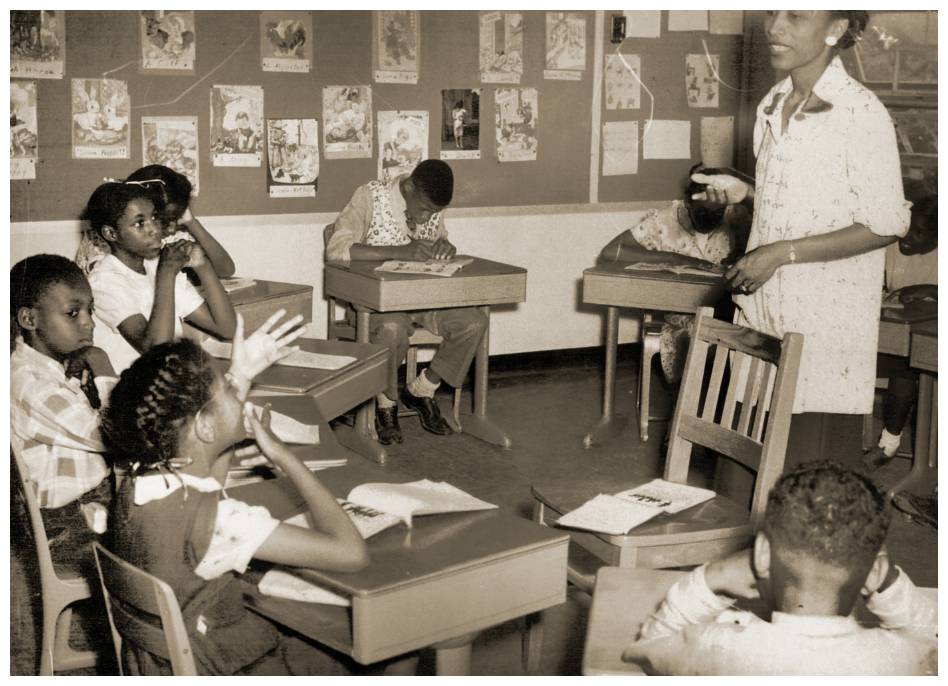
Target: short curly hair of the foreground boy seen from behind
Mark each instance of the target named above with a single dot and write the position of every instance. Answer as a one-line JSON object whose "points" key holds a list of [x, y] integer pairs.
{"points": [[829, 512]]}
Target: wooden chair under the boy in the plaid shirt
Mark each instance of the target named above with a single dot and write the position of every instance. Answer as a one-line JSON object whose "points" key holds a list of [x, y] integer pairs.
{"points": [[60, 590]]}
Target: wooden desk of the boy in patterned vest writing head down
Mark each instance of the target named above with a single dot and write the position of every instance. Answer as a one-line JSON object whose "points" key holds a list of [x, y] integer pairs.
{"points": [[480, 284]]}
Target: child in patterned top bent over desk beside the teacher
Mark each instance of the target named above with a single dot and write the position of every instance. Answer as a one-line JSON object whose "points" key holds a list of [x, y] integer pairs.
{"points": [[690, 232]]}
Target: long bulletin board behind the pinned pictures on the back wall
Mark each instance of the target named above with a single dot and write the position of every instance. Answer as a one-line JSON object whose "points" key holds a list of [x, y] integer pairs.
{"points": [[106, 44]]}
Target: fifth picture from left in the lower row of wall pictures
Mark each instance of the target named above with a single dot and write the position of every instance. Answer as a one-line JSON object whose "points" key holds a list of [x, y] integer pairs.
{"points": [[292, 158]]}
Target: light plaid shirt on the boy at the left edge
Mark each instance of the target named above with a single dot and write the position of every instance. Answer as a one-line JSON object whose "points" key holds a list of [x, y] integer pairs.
{"points": [[54, 428]]}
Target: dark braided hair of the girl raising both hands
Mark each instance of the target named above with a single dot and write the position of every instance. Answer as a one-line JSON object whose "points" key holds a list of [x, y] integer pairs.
{"points": [[153, 400]]}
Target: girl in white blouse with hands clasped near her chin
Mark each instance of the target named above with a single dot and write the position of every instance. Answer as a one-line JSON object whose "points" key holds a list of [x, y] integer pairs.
{"points": [[141, 294]]}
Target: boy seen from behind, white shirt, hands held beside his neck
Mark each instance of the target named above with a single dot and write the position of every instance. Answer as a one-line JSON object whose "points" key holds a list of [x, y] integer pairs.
{"points": [[819, 548]]}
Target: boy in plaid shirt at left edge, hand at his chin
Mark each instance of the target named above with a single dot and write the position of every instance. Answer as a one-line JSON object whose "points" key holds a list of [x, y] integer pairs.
{"points": [[58, 383]]}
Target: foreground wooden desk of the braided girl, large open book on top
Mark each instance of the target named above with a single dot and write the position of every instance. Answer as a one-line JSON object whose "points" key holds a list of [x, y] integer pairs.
{"points": [[434, 585]]}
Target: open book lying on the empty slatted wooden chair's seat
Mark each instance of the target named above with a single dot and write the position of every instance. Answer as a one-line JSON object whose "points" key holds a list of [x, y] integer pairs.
{"points": [[619, 513]]}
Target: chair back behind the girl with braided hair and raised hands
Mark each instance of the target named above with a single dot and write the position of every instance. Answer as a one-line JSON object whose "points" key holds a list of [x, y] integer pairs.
{"points": [[132, 598]]}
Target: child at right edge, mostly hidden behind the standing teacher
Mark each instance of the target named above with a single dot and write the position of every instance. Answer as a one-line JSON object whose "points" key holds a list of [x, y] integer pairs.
{"points": [[911, 275]]}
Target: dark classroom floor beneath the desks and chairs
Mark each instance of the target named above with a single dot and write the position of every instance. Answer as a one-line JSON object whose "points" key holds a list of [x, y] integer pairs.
{"points": [[546, 402]]}
